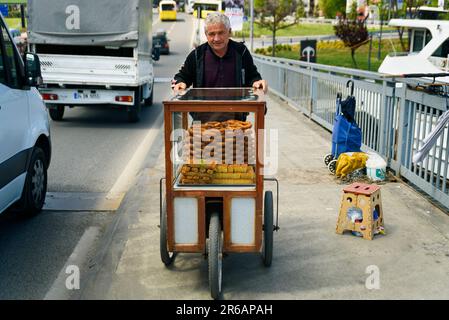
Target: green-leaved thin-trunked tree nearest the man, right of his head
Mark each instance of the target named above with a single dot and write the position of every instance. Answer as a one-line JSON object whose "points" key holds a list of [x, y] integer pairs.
{"points": [[278, 14]]}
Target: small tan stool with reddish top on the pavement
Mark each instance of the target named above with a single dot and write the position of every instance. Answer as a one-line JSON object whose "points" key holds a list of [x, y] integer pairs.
{"points": [[367, 198]]}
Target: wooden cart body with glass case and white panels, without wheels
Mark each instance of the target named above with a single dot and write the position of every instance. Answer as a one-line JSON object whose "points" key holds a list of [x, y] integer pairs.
{"points": [[213, 161]]}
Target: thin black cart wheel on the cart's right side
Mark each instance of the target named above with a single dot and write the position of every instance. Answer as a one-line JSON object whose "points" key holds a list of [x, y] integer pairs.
{"points": [[267, 250]]}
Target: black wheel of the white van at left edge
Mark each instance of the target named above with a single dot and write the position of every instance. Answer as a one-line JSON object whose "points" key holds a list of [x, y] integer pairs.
{"points": [[35, 188]]}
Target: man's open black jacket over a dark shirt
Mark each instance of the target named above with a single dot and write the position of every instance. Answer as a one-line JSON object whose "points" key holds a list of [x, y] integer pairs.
{"points": [[192, 72]]}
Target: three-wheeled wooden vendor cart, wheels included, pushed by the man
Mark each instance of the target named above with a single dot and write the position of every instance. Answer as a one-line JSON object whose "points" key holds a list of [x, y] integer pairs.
{"points": [[234, 218]]}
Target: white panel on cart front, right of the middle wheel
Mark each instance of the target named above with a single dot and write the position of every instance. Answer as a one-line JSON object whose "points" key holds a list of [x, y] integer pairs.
{"points": [[243, 212]]}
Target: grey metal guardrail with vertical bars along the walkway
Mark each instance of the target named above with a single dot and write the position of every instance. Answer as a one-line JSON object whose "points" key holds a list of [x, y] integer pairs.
{"points": [[393, 117]]}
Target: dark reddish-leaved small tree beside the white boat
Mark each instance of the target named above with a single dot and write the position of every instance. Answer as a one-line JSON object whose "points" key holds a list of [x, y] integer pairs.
{"points": [[353, 33]]}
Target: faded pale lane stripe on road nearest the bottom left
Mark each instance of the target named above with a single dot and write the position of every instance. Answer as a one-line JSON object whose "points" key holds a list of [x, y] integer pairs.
{"points": [[59, 290]]}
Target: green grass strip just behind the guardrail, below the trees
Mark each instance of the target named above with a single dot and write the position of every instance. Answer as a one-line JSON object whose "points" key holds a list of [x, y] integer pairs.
{"points": [[342, 56]]}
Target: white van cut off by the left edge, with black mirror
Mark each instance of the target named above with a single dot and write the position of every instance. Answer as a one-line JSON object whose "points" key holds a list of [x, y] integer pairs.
{"points": [[25, 142]]}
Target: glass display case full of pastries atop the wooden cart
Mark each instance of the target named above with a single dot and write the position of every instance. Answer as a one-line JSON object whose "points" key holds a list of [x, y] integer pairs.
{"points": [[214, 148]]}
